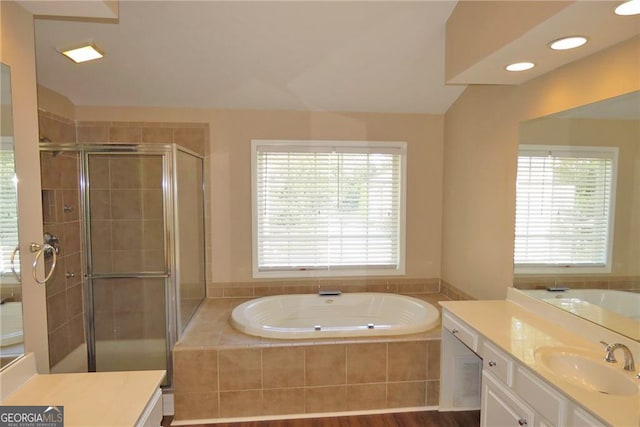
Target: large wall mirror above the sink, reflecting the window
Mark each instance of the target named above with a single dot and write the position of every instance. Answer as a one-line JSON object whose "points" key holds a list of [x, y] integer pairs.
{"points": [[578, 212]]}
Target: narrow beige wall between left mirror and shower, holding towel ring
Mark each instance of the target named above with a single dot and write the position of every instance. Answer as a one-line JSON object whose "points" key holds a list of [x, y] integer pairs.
{"points": [[18, 51]]}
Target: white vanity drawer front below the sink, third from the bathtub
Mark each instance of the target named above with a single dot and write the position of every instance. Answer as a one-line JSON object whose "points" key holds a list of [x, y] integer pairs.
{"points": [[542, 398]]}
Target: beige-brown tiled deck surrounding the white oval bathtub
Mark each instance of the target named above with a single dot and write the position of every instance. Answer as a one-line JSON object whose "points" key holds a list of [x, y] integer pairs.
{"points": [[222, 373]]}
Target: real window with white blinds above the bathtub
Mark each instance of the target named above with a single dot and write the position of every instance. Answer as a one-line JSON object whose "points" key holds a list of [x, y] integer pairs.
{"points": [[328, 208]]}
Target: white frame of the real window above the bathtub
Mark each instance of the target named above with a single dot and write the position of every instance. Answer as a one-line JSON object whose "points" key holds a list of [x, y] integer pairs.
{"points": [[324, 146]]}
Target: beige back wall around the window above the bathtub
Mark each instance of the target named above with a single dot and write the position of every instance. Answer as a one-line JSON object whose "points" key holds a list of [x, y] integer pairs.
{"points": [[230, 139]]}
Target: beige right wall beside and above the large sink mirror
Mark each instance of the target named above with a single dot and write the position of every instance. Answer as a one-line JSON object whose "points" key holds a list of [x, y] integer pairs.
{"points": [[481, 139]]}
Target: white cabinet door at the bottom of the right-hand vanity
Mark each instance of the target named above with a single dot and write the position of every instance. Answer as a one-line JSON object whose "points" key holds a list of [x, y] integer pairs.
{"points": [[500, 408]]}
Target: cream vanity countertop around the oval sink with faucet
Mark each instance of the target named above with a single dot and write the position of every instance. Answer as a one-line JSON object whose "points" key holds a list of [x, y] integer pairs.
{"points": [[520, 332]]}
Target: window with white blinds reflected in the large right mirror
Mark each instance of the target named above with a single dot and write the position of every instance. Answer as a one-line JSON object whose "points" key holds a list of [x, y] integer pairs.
{"points": [[564, 208]]}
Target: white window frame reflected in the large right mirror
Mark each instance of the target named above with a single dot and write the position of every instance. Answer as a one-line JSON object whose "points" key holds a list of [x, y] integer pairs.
{"points": [[561, 268]]}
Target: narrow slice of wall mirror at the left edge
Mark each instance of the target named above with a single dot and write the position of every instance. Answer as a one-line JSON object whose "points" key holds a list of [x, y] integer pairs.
{"points": [[11, 332]]}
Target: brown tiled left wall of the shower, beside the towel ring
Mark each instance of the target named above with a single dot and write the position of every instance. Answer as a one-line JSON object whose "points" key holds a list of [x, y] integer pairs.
{"points": [[61, 216]]}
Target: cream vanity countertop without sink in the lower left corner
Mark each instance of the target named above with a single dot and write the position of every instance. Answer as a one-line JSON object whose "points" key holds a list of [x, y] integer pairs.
{"points": [[92, 399]]}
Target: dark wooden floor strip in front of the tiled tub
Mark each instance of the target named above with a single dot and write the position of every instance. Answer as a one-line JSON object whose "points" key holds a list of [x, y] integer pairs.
{"points": [[405, 419]]}
